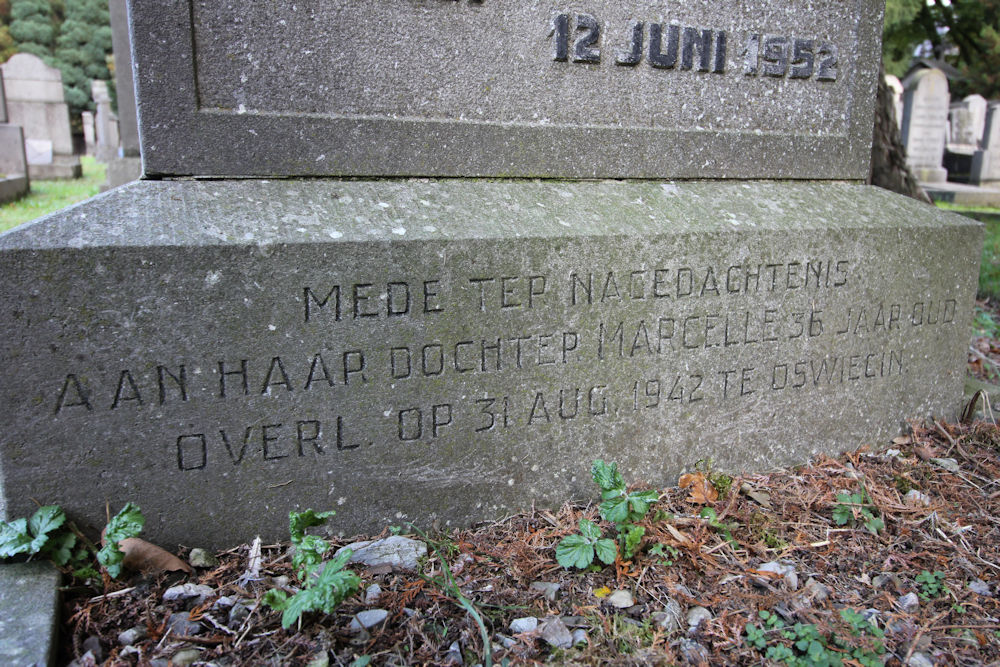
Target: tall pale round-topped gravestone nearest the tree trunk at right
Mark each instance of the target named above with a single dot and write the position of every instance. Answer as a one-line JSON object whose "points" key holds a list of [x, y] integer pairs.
{"points": [[925, 121]]}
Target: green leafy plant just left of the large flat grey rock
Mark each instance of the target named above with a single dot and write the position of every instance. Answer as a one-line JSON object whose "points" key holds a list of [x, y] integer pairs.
{"points": [[319, 593]]}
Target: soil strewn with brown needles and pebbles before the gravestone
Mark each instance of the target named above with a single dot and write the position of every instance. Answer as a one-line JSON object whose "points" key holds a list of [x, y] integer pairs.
{"points": [[882, 556]]}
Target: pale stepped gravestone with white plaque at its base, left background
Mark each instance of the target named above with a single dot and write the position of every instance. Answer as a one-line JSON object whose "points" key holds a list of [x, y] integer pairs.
{"points": [[35, 101]]}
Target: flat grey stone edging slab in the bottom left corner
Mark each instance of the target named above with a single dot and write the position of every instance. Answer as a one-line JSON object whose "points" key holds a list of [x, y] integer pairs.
{"points": [[29, 614]]}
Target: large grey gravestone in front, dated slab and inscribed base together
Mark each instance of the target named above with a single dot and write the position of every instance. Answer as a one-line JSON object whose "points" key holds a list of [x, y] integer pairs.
{"points": [[406, 348]]}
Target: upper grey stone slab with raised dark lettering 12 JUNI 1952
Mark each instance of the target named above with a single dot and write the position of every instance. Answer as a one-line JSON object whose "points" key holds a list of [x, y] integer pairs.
{"points": [[483, 88]]}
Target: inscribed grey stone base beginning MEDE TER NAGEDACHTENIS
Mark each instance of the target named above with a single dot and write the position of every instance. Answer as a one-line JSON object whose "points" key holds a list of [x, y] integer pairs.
{"points": [[456, 349]]}
